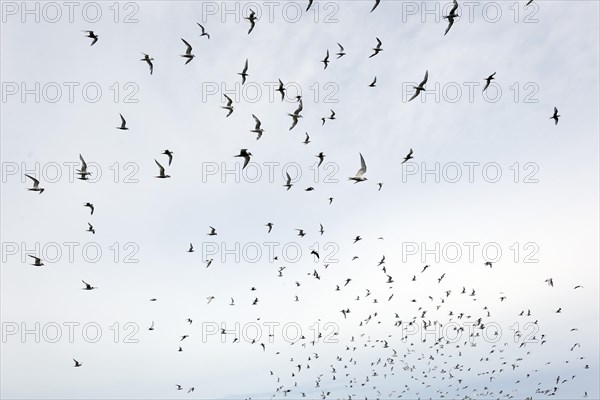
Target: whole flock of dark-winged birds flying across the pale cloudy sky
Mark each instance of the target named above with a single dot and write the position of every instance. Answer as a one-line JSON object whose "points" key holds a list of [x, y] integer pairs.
{"points": [[411, 368]]}
